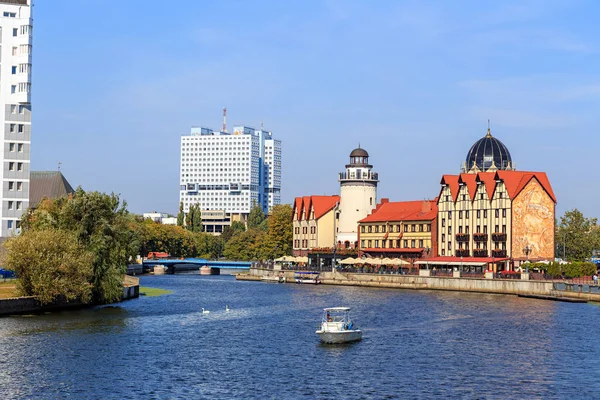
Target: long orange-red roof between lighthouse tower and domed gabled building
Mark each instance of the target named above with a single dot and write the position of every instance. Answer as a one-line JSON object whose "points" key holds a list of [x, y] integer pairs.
{"points": [[420, 210]]}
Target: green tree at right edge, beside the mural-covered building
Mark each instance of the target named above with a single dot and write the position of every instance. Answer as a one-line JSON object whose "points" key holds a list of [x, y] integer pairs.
{"points": [[577, 236]]}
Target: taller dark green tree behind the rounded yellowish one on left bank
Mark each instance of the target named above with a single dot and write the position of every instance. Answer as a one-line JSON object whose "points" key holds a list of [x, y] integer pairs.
{"points": [[100, 224]]}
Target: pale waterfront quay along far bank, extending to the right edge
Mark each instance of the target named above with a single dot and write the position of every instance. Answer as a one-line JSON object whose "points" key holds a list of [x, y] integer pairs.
{"points": [[553, 289]]}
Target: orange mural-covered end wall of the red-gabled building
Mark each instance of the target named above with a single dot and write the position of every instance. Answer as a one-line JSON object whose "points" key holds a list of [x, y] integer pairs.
{"points": [[533, 222]]}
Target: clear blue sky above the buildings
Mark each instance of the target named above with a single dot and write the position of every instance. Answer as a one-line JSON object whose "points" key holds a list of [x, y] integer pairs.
{"points": [[115, 84]]}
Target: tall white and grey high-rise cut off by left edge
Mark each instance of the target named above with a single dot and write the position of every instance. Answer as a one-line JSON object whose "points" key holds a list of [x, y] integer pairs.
{"points": [[15, 95]]}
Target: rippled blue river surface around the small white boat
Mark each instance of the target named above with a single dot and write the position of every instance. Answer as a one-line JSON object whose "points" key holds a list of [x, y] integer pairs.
{"points": [[416, 344]]}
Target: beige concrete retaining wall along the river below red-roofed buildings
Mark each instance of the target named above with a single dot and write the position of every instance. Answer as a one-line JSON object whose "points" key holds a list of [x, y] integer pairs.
{"points": [[499, 286]]}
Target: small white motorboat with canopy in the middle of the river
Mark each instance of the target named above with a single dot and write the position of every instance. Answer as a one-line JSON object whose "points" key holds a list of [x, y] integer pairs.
{"points": [[337, 327]]}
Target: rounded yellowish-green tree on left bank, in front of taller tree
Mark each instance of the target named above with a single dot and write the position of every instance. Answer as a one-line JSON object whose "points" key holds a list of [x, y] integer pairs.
{"points": [[51, 265]]}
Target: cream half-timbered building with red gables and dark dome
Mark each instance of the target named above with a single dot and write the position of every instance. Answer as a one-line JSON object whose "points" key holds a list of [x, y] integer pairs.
{"points": [[496, 214]]}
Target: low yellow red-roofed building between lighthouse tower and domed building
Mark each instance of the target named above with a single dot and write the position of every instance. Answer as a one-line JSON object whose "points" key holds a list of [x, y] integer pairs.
{"points": [[405, 229]]}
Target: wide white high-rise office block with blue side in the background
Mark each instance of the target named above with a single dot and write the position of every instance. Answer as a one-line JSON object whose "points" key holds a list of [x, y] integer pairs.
{"points": [[228, 173]]}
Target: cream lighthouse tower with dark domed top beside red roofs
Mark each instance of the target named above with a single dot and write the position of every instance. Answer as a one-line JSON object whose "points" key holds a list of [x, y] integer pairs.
{"points": [[358, 196]]}
